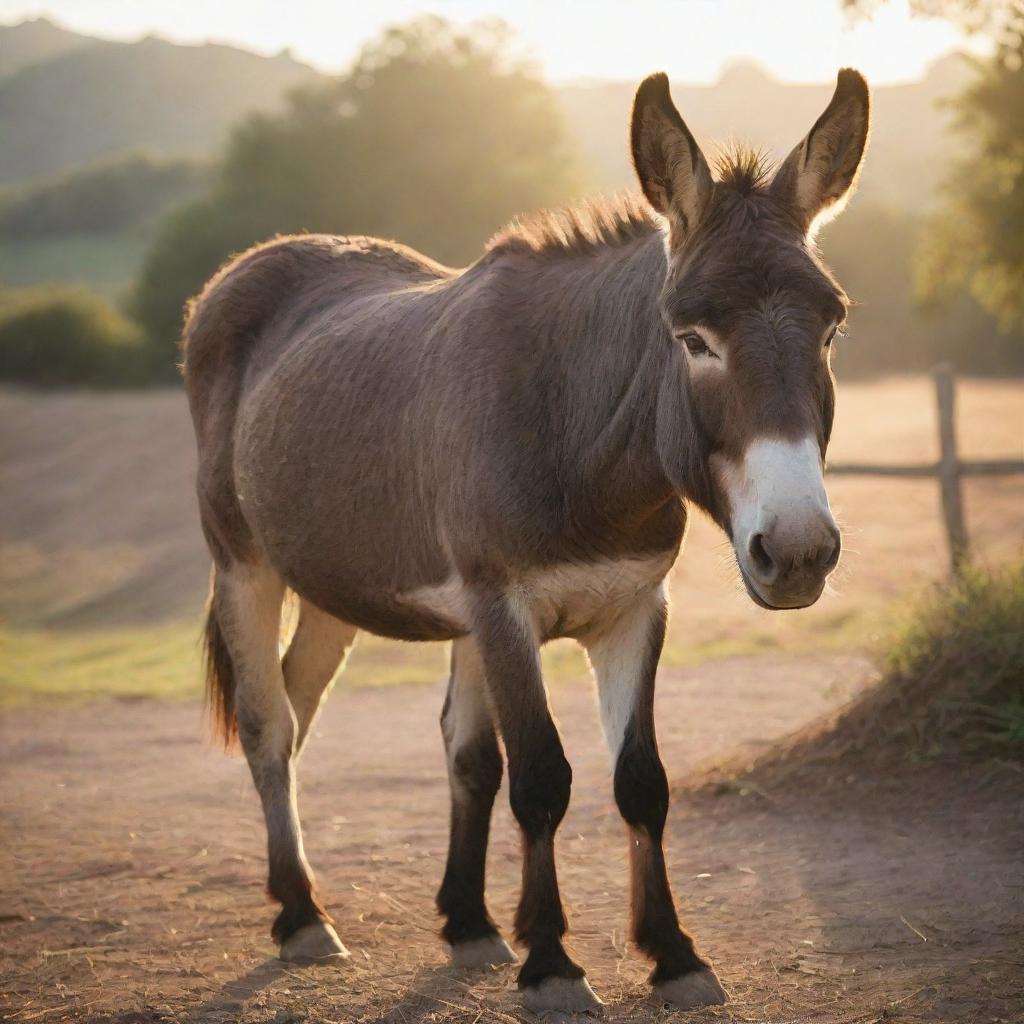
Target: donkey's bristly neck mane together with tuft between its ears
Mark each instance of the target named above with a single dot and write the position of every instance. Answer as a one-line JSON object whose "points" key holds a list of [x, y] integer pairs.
{"points": [[596, 225]]}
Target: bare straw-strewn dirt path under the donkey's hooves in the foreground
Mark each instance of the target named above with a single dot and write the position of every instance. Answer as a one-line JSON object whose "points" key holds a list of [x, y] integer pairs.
{"points": [[132, 870]]}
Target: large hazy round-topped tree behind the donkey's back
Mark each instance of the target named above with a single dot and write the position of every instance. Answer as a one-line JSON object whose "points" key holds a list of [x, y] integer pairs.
{"points": [[436, 138]]}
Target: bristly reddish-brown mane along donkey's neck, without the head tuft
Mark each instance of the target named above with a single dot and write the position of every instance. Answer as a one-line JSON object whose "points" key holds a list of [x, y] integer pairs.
{"points": [[585, 229]]}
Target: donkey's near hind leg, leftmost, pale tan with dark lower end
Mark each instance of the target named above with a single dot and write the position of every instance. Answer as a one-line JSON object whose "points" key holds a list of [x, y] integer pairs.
{"points": [[247, 606]]}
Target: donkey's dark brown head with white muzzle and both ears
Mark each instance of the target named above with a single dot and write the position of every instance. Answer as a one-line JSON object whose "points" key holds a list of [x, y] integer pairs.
{"points": [[754, 313]]}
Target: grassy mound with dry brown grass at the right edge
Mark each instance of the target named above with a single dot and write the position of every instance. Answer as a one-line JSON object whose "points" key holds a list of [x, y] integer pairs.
{"points": [[952, 690]]}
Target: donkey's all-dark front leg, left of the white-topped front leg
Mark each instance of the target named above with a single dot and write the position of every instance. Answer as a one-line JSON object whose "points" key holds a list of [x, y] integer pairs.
{"points": [[540, 780]]}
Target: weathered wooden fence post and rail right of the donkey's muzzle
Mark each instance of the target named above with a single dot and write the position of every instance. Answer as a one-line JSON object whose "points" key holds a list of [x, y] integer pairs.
{"points": [[949, 471]]}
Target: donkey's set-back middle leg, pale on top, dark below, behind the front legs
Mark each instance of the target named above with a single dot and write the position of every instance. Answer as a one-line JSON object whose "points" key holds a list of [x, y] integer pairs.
{"points": [[475, 765]]}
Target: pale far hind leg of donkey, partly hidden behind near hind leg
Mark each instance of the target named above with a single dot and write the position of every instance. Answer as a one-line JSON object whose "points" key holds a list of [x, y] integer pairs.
{"points": [[315, 657]]}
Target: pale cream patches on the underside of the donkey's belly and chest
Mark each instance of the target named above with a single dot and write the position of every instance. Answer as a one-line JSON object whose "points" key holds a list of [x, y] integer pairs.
{"points": [[564, 601]]}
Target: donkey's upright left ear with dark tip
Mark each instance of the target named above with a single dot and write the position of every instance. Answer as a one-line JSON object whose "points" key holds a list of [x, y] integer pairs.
{"points": [[673, 173]]}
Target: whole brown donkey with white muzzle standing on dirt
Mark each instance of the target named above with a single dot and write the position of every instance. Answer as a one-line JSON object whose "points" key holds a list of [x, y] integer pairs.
{"points": [[504, 455]]}
